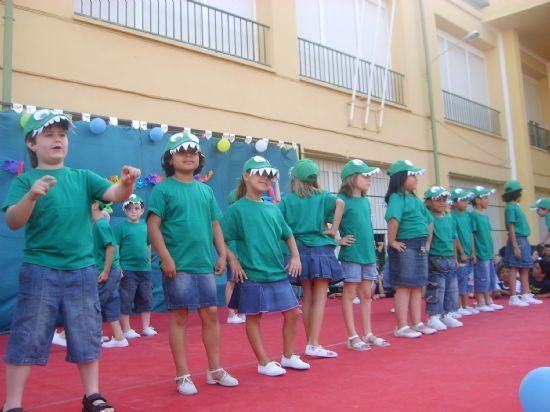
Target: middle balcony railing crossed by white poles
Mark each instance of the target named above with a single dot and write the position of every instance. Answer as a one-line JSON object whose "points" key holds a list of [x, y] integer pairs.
{"points": [[333, 67]]}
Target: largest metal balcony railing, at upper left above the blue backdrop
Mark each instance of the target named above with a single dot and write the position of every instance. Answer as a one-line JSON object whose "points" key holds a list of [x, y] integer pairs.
{"points": [[185, 21]]}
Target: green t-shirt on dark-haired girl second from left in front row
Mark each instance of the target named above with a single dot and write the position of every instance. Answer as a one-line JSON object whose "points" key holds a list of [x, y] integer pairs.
{"points": [[187, 211]]}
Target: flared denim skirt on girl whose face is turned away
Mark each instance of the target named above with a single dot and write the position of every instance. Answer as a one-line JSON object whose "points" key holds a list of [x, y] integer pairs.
{"points": [[318, 262]]}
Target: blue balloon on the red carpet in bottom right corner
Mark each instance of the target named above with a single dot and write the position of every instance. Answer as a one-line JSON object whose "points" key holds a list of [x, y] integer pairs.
{"points": [[534, 393]]}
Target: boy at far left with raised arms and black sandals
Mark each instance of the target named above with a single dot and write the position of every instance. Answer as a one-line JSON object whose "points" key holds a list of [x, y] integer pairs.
{"points": [[58, 273]]}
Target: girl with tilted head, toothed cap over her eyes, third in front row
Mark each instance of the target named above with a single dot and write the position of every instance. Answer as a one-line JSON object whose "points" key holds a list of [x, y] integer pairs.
{"points": [[261, 278]]}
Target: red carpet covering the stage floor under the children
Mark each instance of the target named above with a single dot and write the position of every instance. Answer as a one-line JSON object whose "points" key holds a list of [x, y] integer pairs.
{"points": [[476, 367]]}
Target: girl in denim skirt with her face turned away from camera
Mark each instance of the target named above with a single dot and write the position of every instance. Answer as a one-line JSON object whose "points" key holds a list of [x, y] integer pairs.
{"points": [[306, 210]]}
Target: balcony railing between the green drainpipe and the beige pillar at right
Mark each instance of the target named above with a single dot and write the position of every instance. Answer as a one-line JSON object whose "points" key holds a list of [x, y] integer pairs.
{"points": [[469, 113]]}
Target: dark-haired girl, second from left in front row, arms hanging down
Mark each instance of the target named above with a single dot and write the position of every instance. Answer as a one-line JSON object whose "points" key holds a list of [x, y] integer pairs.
{"points": [[183, 220]]}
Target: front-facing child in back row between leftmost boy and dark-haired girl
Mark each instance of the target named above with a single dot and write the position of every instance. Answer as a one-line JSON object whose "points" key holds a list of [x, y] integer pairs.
{"points": [[136, 289]]}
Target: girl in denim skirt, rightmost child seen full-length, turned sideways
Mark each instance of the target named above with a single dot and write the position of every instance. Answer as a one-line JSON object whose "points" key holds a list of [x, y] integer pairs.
{"points": [[518, 250]]}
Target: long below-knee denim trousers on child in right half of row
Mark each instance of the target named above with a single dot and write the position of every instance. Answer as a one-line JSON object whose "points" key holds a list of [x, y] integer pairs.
{"points": [[442, 289]]}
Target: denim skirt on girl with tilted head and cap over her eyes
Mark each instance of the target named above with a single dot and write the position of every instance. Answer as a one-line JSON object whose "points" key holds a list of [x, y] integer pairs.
{"points": [[251, 298]]}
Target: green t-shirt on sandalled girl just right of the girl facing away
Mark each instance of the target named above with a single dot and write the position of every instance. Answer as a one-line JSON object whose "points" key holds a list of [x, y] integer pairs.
{"points": [[356, 221]]}
